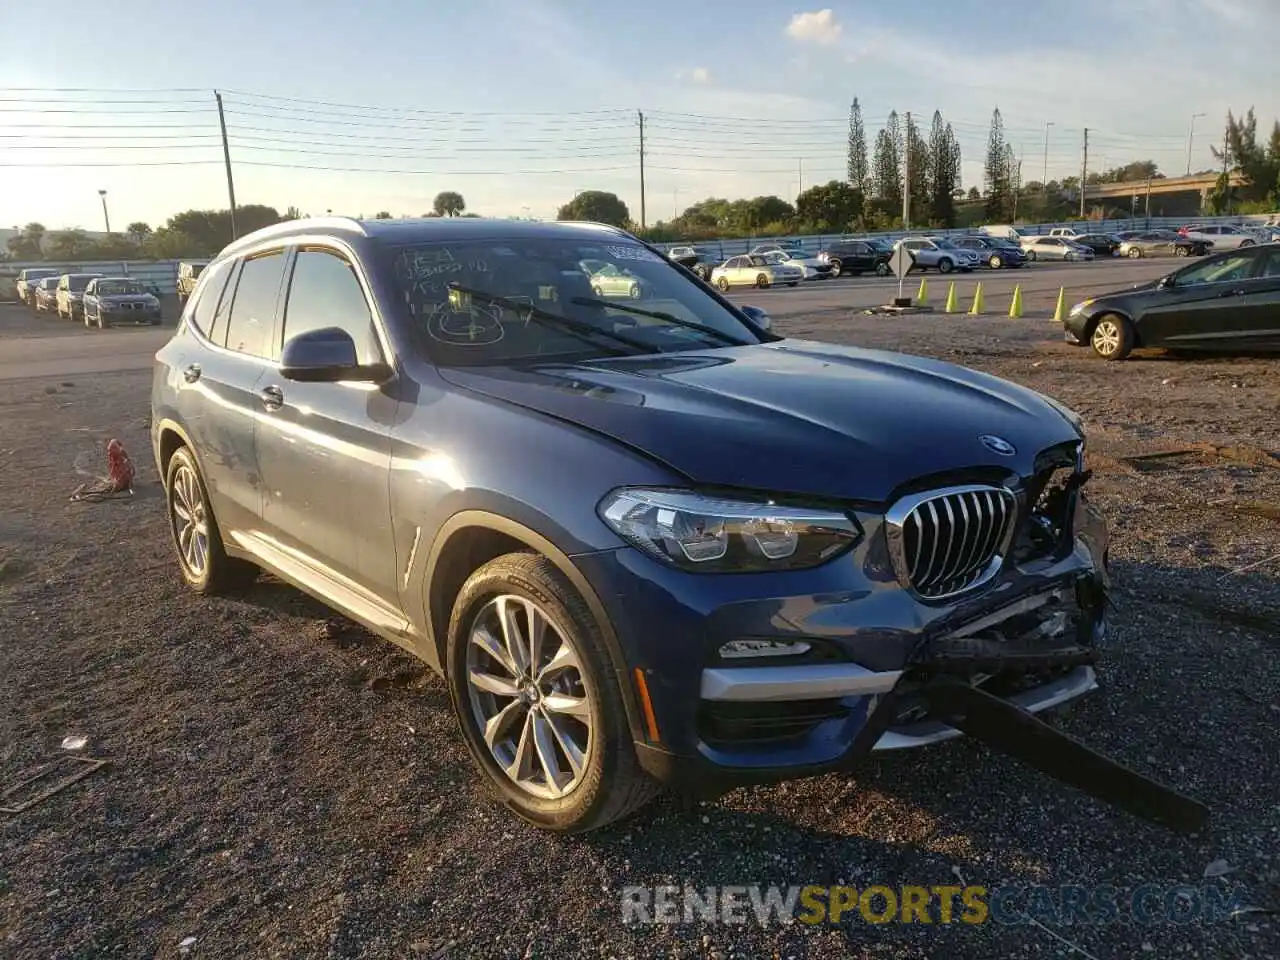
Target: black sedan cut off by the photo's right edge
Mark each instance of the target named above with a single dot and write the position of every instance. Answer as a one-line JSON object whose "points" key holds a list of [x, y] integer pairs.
{"points": [[1227, 301]]}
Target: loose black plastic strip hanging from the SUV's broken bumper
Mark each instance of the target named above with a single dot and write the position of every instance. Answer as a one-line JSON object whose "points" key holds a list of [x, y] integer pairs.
{"points": [[1018, 734]]}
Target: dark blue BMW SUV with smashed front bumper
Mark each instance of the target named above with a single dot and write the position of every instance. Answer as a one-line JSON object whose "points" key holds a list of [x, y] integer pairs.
{"points": [[646, 540]]}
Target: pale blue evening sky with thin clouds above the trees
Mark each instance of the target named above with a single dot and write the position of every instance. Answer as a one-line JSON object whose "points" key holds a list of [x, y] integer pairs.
{"points": [[520, 104]]}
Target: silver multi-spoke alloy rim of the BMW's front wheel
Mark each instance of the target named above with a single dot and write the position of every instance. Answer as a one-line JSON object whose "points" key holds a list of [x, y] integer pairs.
{"points": [[529, 698]]}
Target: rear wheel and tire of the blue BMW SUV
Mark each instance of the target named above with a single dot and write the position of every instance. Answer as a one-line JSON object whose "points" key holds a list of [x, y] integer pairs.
{"points": [[186, 493]]}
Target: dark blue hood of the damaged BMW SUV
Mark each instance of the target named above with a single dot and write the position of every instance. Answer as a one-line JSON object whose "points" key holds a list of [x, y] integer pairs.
{"points": [[792, 417]]}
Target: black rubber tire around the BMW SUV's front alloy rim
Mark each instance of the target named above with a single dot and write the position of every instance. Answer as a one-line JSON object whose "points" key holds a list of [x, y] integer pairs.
{"points": [[610, 730]]}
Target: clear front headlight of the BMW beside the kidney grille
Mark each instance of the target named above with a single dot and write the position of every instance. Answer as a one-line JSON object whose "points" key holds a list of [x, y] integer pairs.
{"points": [[714, 536]]}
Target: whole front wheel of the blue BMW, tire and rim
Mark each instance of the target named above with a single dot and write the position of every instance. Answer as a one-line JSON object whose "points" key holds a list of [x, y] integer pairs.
{"points": [[592, 719]]}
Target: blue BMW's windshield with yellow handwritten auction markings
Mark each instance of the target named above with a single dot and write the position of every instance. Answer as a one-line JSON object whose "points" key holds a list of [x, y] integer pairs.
{"points": [[628, 282]]}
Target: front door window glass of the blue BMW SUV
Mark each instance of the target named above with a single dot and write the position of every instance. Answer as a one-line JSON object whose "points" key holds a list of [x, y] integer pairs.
{"points": [[324, 292]]}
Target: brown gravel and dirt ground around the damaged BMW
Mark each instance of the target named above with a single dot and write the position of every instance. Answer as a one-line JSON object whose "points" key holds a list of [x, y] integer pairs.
{"points": [[284, 787]]}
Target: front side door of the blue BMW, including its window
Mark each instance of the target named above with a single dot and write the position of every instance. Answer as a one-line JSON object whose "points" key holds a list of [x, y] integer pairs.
{"points": [[324, 449]]}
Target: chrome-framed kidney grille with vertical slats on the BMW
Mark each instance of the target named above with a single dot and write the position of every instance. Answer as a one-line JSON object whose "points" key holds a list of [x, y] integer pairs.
{"points": [[950, 541]]}
